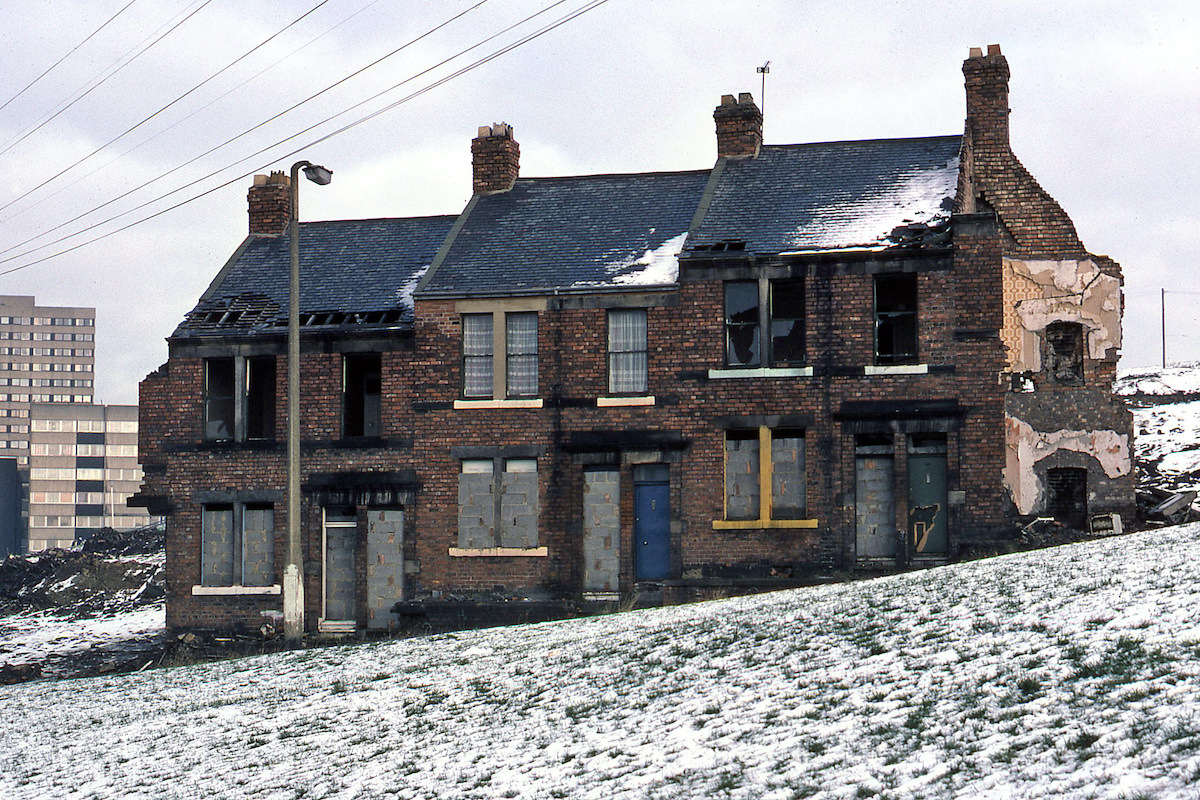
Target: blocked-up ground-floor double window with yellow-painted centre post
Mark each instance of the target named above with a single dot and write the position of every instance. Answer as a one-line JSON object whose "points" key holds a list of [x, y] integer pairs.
{"points": [[759, 489]]}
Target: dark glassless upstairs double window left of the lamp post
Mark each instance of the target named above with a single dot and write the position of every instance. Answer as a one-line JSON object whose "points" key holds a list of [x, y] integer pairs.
{"points": [[233, 416]]}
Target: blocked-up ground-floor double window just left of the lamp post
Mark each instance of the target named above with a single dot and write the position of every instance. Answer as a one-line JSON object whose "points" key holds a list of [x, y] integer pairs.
{"points": [[238, 545]]}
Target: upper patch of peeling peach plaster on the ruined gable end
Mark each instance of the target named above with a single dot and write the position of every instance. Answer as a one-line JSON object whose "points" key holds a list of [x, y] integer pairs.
{"points": [[1039, 293]]}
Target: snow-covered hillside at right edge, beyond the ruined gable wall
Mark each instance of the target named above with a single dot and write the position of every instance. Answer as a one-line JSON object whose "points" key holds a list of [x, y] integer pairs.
{"points": [[1167, 425]]}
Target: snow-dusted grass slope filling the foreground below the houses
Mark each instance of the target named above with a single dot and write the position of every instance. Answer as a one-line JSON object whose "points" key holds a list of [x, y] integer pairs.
{"points": [[1065, 673]]}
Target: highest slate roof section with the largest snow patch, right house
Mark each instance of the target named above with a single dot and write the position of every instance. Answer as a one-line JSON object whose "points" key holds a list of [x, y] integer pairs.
{"points": [[832, 196]]}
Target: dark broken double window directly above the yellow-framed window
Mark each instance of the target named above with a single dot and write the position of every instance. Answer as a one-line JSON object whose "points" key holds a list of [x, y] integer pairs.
{"points": [[754, 306]]}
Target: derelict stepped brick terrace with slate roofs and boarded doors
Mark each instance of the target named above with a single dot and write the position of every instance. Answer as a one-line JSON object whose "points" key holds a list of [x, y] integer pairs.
{"points": [[853, 356]]}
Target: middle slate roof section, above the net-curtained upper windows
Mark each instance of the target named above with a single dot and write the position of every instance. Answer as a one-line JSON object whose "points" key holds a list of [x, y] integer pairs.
{"points": [[573, 233]]}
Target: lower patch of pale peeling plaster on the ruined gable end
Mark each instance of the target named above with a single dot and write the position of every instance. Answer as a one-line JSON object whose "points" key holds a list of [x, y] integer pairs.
{"points": [[1027, 447]]}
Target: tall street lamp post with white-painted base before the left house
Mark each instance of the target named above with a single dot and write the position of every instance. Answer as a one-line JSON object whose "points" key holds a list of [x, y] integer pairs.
{"points": [[293, 574]]}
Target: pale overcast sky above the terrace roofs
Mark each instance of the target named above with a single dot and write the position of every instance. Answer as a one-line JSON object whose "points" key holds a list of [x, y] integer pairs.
{"points": [[1106, 100]]}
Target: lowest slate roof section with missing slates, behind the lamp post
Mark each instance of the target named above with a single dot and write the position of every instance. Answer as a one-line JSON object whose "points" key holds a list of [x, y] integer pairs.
{"points": [[352, 273]]}
